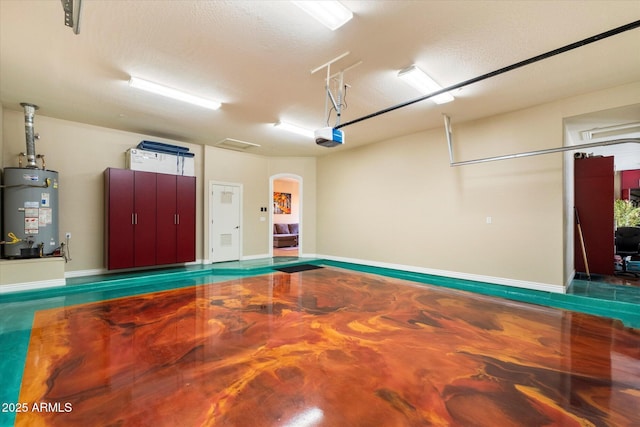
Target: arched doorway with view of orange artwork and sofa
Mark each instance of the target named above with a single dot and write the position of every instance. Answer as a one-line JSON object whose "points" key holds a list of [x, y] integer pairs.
{"points": [[285, 217]]}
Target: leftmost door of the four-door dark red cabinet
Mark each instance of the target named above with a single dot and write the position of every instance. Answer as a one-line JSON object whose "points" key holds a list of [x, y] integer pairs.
{"points": [[119, 228]]}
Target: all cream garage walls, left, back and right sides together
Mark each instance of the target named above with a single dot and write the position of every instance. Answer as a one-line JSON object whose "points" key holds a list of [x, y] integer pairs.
{"points": [[397, 202]]}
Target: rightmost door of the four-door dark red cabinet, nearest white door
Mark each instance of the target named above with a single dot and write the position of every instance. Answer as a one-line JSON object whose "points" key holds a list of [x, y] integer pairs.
{"points": [[186, 211]]}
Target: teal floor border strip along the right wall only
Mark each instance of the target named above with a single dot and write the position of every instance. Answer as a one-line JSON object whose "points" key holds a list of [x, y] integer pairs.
{"points": [[627, 313]]}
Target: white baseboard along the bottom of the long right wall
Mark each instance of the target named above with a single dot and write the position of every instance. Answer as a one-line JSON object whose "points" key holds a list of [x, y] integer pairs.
{"points": [[524, 284]]}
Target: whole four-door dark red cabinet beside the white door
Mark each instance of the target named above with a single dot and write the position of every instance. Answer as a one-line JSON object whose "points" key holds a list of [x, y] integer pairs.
{"points": [[149, 218]]}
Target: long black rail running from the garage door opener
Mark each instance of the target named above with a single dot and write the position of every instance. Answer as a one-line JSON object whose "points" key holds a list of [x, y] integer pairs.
{"points": [[503, 70]]}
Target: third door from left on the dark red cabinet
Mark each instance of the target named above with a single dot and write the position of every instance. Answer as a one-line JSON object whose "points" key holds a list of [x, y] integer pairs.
{"points": [[167, 220]]}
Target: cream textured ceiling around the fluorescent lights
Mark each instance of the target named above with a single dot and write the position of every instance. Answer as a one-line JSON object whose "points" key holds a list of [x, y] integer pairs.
{"points": [[256, 57]]}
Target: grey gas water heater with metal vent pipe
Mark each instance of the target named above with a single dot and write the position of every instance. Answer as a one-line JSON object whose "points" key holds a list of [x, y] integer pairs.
{"points": [[30, 202]]}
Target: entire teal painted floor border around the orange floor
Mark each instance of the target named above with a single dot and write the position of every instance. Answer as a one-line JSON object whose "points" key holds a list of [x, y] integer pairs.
{"points": [[129, 284]]}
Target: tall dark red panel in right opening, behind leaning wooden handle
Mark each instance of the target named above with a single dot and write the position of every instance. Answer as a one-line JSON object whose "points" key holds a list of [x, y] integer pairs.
{"points": [[594, 198]]}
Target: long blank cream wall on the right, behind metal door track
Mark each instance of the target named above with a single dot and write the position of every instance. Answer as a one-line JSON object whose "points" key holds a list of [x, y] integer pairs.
{"points": [[398, 202]]}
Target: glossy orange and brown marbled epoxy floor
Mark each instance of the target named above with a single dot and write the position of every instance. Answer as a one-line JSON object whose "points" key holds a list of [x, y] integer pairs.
{"points": [[327, 347]]}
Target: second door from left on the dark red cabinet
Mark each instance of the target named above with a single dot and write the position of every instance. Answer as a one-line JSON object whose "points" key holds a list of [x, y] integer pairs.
{"points": [[144, 218]]}
